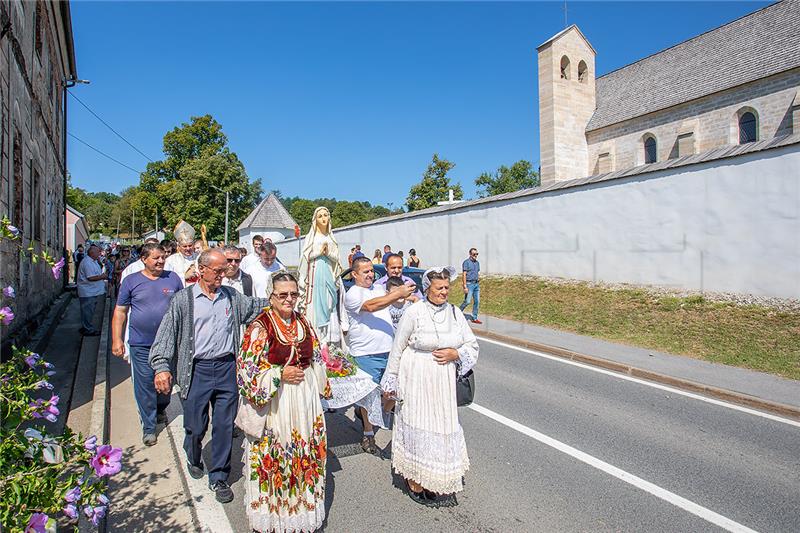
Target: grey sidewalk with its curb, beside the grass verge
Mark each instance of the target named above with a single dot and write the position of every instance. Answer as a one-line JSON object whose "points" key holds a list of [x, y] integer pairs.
{"points": [[739, 385]]}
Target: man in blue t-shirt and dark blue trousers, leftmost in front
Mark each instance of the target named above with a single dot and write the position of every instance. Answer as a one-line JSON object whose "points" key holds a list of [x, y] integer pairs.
{"points": [[147, 295]]}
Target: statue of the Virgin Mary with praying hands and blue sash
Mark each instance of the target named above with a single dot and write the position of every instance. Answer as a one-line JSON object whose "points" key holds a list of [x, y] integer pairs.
{"points": [[320, 287]]}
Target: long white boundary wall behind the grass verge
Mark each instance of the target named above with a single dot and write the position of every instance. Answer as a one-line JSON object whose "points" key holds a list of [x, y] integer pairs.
{"points": [[730, 225]]}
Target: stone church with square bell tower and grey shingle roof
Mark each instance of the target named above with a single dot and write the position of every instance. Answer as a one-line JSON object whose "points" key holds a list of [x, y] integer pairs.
{"points": [[736, 84]]}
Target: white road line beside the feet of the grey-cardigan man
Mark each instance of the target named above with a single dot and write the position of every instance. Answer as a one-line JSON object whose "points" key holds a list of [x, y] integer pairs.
{"points": [[210, 513]]}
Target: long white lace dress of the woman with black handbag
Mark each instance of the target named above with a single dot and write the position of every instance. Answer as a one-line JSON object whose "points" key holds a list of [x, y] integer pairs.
{"points": [[428, 444]]}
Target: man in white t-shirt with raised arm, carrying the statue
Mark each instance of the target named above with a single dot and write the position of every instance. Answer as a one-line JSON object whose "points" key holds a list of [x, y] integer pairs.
{"points": [[371, 332]]}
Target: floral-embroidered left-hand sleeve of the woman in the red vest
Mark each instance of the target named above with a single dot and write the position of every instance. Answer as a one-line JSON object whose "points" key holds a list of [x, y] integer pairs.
{"points": [[257, 379]]}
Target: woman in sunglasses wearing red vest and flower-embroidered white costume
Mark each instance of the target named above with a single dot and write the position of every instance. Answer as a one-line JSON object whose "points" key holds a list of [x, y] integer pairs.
{"points": [[279, 374]]}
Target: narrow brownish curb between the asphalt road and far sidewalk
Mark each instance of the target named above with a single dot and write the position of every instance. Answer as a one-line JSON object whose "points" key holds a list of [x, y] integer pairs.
{"points": [[679, 383]]}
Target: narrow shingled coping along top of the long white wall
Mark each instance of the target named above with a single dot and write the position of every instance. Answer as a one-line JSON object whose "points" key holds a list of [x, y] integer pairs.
{"points": [[722, 152]]}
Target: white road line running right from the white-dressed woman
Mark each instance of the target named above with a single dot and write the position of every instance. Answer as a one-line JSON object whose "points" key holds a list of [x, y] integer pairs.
{"points": [[655, 490]]}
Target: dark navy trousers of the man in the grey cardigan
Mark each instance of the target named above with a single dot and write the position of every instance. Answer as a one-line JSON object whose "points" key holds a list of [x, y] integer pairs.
{"points": [[213, 384]]}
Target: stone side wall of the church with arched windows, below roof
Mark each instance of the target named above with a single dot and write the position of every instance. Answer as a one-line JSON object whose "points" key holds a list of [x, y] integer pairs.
{"points": [[703, 124]]}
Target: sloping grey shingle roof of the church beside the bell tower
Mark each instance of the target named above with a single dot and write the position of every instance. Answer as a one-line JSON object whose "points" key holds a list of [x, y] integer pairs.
{"points": [[758, 45]]}
